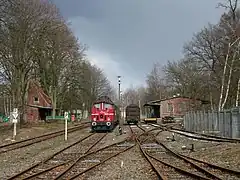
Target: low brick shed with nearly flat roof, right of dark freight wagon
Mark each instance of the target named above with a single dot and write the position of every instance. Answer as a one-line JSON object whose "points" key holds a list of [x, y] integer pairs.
{"points": [[179, 105]]}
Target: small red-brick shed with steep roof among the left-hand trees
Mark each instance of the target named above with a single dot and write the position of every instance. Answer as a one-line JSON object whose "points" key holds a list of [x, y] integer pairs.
{"points": [[38, 104]]}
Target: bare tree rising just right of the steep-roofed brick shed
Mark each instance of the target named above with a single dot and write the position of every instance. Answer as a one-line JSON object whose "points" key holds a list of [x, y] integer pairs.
{"points": [[62, 50]]}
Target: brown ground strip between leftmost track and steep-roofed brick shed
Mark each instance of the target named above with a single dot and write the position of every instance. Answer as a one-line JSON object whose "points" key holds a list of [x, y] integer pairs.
{"points": [[6, 132]]}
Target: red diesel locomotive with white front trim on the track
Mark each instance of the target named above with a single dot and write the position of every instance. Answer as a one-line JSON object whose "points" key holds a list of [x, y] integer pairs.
{"points": [[104, 114]]}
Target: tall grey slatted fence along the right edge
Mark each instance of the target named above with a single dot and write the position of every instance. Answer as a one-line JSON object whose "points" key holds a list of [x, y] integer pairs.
{"points": [[225, 123]]}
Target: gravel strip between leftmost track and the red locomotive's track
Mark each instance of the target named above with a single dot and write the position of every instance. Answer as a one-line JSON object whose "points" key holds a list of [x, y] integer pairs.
{"points": [[20, 159]]}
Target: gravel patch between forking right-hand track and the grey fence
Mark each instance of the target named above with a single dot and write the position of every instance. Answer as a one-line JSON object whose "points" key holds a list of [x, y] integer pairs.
{"points": [[219, 153]]}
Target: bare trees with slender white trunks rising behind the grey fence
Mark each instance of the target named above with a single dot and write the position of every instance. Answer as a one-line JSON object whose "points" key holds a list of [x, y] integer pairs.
{"points": [[216, 49]]}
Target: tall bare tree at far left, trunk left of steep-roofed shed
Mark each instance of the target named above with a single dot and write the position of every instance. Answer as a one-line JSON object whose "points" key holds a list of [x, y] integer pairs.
{"points": [[23, 21]]}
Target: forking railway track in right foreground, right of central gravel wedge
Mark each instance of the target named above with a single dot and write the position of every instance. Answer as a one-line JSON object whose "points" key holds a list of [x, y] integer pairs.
{"points": [[170, 165]]}
